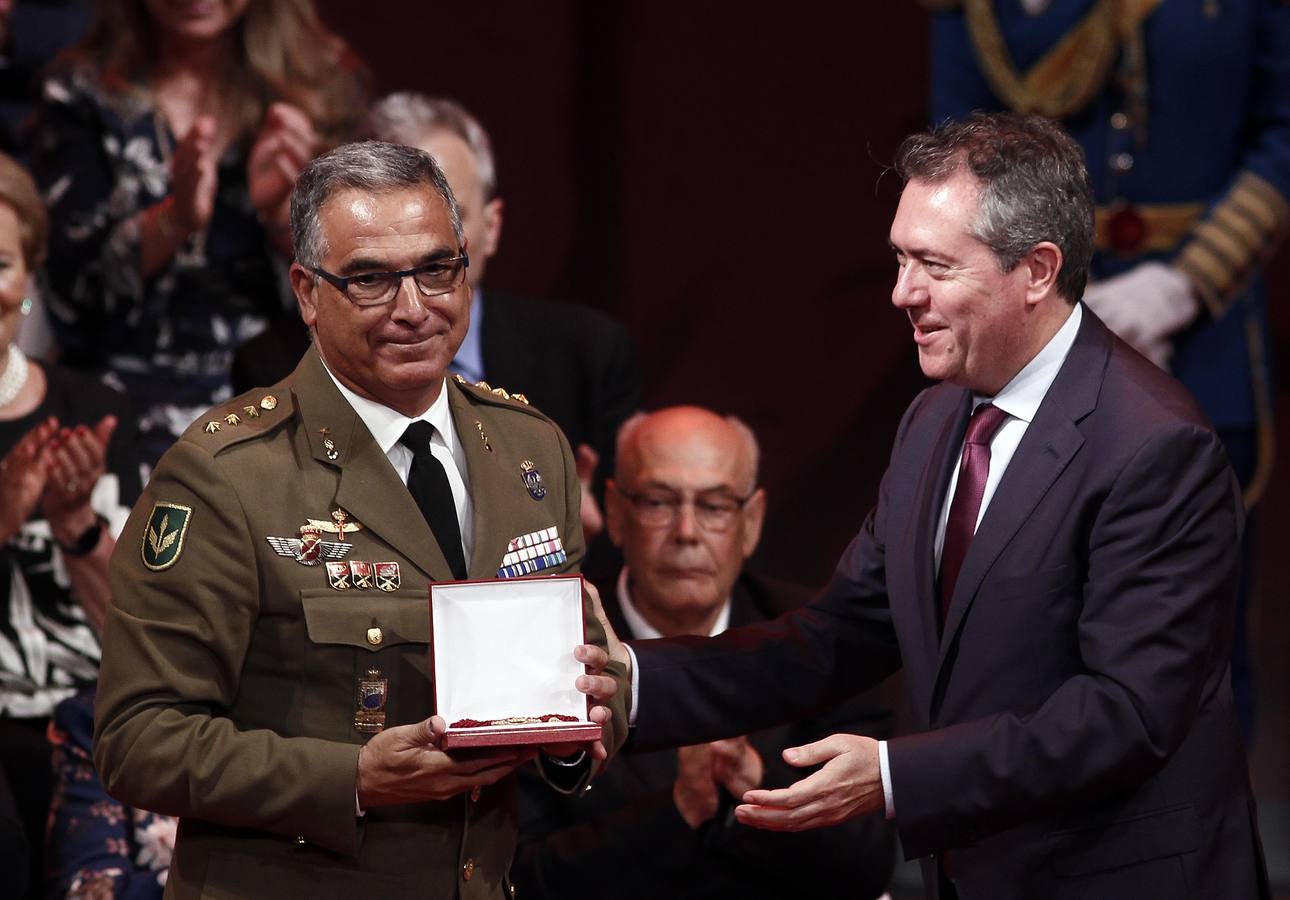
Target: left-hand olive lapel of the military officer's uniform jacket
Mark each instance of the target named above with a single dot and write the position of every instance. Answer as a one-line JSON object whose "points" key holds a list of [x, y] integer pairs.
{"points": [[370, 488]]}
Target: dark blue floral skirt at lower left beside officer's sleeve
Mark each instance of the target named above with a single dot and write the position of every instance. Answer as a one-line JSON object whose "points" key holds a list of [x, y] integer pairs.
{"points": [[97, 846]]}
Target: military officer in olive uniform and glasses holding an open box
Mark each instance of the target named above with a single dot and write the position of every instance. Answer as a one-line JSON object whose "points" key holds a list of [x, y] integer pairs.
{"points": [[268, 671]]}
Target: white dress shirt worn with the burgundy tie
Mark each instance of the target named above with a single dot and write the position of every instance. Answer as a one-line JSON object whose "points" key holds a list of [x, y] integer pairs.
{"points": [[1021, 399]]}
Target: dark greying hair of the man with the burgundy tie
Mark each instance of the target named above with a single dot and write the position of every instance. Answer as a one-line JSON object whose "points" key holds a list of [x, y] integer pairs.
{"points": [[1035, 186]]}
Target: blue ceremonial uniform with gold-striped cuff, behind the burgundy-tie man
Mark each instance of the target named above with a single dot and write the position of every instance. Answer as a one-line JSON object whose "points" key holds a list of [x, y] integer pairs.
{"points": [[1216, 133]]}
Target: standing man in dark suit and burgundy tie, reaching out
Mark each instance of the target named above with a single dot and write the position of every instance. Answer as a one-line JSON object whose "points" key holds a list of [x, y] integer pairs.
{"points": [[1053, 560]]}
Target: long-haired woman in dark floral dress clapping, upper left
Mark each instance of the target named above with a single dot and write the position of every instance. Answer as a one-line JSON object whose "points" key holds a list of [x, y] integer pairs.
{"points": [[168, 144]]}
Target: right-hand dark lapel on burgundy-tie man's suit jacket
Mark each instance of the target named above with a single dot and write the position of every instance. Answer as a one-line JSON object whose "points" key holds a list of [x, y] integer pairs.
{"points": [[1052, 442]]}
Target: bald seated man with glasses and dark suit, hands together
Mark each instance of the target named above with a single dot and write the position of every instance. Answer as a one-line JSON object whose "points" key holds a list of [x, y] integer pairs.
{"points": [[687, 513]]}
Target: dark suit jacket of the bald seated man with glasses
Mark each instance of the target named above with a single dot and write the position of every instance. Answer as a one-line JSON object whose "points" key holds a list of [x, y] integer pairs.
{"points": [[628, 832]]}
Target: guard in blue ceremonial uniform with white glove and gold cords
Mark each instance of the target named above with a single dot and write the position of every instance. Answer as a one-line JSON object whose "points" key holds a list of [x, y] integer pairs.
{"points": [[1184, 114]]}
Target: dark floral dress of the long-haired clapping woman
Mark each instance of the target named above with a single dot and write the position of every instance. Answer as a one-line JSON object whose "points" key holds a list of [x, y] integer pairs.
{"points": [[166, 341]]}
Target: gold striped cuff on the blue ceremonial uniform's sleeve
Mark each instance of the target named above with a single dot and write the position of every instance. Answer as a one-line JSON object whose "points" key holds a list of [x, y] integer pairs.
{"points": [[1242, 231]]}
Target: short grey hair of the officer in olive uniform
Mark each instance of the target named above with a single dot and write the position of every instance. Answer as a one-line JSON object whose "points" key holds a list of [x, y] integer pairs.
{"points": [[370, 166]]}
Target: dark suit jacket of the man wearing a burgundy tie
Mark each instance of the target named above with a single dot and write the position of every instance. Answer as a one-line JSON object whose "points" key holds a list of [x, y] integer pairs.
{"points": [[1077, 736]]}
